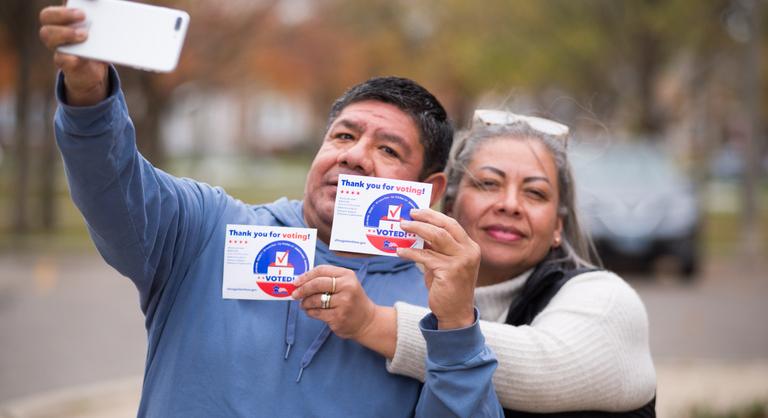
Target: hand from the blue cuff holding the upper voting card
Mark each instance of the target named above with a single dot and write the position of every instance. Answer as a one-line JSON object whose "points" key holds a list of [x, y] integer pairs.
{"points": [[451, 261]]}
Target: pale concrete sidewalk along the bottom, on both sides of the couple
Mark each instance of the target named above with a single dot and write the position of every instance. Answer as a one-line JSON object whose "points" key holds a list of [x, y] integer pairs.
{"points": [[681, 385]]}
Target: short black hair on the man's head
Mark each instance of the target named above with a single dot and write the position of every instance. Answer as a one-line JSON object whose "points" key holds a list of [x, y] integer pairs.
{"points": [[435, 130]]}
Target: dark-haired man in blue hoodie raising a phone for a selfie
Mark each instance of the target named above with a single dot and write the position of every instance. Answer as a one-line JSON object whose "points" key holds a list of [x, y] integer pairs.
{"points": [[208, 356]]}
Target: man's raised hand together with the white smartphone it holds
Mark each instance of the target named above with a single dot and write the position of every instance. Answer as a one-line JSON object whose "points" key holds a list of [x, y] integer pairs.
{"points": [[128, 33]]}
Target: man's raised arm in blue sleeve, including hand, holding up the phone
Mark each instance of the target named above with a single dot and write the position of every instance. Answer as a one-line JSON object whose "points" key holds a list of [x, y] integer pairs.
{"points": [[142, 220]]}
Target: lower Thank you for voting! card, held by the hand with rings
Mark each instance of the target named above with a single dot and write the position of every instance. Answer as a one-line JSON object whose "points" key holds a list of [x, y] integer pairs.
{"points": [[262, 262]]}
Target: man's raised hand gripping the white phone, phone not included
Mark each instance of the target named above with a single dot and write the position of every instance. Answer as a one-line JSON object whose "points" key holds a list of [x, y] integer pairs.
{"points": [[85, 80]]}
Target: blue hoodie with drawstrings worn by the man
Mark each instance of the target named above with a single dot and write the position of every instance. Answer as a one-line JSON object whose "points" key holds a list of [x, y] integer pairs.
{"points": [[213, 357]]}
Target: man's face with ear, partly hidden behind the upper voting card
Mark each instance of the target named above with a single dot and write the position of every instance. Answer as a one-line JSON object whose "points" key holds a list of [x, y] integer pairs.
{"points": [[368, 138]]}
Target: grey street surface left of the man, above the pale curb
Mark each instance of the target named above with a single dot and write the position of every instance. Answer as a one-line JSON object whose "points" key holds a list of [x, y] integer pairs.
{"points": [[66, 320]]}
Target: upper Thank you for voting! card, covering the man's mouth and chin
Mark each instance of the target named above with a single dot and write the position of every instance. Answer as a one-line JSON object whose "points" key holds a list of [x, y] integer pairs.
{"points": [[368, 212]]}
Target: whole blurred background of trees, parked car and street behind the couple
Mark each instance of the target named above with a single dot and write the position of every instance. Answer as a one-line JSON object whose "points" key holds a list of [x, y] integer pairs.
{"points": [[666, 99]]}
